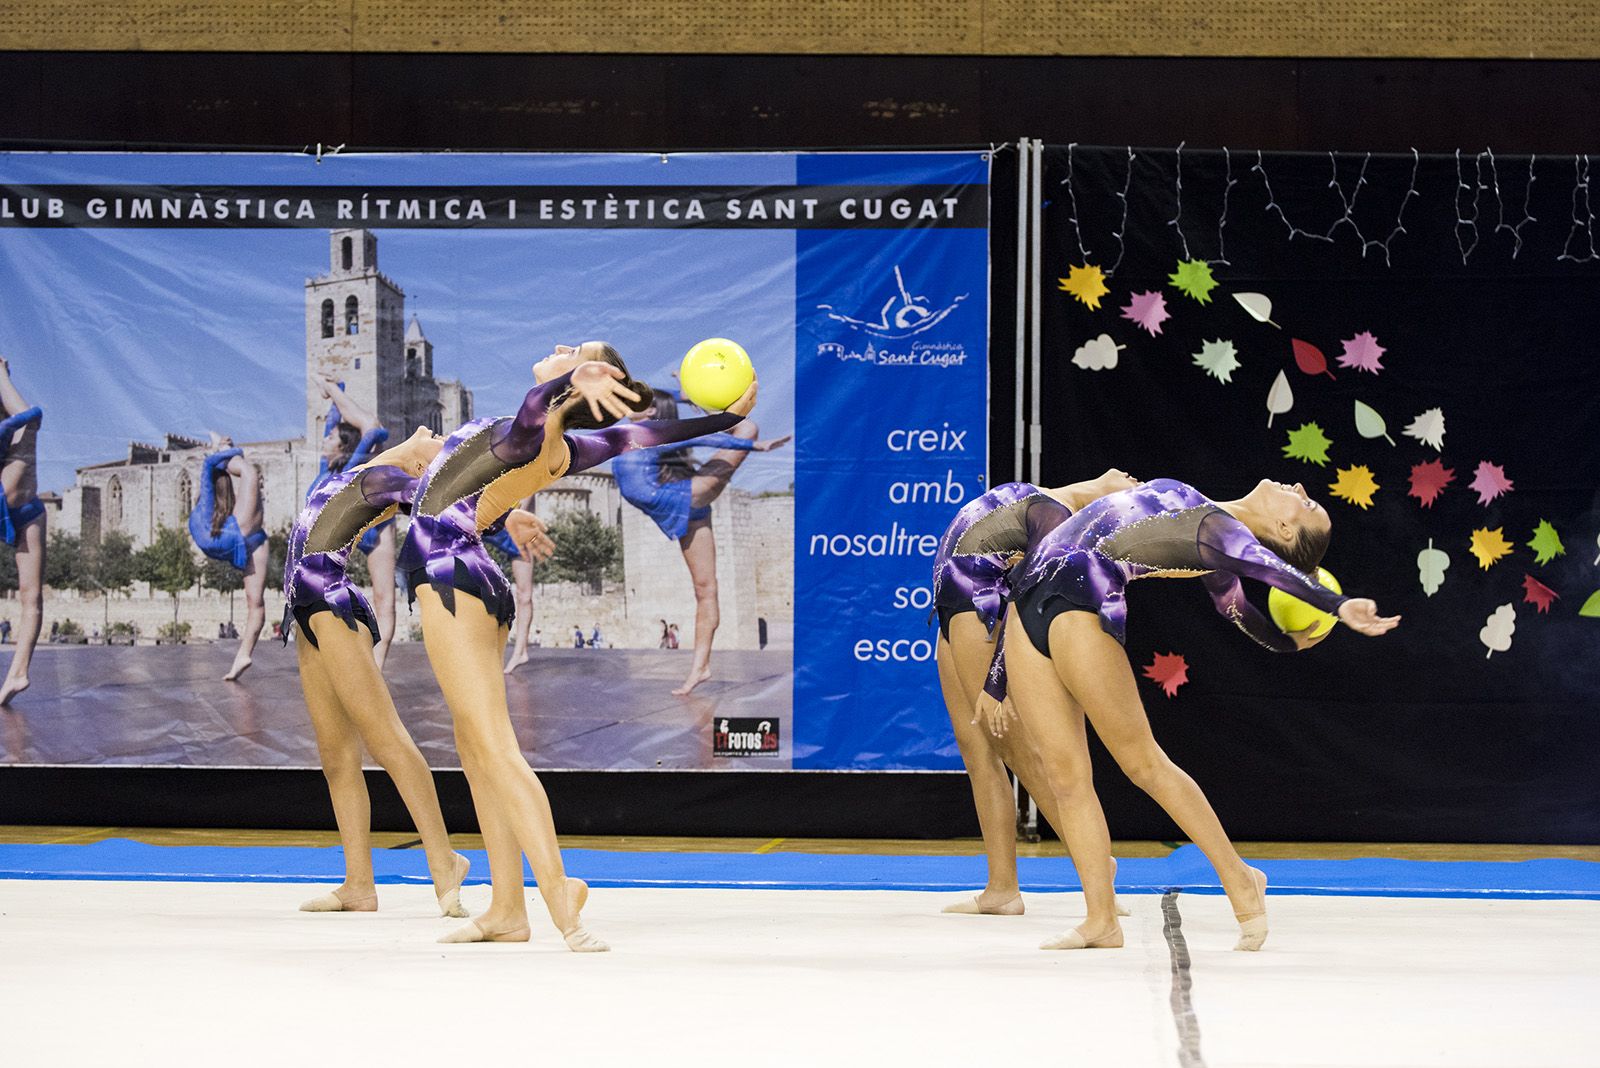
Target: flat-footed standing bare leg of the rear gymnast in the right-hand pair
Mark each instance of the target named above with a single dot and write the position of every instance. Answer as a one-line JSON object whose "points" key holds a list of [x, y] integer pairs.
{"points": [[991, 787]]}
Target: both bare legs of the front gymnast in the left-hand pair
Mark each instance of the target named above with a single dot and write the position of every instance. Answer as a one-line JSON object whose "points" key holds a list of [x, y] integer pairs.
{"points": [[465, 650]]}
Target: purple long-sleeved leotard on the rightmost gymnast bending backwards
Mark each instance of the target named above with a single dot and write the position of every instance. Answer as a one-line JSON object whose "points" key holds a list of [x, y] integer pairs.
{"points": [[1158, 528]]}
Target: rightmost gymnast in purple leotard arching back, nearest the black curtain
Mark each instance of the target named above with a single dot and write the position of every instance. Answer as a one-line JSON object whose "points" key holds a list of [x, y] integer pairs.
{"points": [[1068, 663]]}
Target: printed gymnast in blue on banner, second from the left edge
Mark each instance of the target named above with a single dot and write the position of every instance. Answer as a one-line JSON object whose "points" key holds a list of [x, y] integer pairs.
{"points": [[226, 525]]}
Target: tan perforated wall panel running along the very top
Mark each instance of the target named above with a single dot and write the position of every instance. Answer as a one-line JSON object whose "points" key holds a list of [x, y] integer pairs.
{"points": [[1550, 30]]}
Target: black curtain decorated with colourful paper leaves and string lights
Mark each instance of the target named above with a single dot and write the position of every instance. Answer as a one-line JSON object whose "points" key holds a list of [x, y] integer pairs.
{"points": [[1484, 293]]}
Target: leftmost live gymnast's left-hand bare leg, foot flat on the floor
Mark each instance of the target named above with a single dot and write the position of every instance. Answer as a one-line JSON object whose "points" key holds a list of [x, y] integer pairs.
{"points": [[340, 751]]}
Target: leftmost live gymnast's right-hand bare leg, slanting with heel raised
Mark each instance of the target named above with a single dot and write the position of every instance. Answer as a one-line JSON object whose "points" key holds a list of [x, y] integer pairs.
{"points": [[364, 703]]}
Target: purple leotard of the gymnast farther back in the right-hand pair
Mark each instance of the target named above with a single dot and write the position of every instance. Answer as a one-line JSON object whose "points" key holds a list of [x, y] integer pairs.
{"points": [[970, 575]]}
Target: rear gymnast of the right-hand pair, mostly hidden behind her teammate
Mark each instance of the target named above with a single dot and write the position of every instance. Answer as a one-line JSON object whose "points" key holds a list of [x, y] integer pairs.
{"points": [[969, 596]]}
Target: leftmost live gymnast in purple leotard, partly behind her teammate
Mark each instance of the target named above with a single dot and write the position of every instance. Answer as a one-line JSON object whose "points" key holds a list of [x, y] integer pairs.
{"points": [[345, 691]]}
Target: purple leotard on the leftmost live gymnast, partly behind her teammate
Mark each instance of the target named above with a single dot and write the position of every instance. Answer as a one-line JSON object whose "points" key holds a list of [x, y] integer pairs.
{"points": [[327, 530]]}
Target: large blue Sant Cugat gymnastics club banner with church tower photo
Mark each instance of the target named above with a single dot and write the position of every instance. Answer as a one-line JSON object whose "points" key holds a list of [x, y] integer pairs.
{"points": [[159, 308]]}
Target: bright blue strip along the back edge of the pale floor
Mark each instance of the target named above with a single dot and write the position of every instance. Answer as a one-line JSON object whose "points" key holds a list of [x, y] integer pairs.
{"points": [[1186, 871]]}
